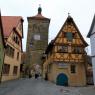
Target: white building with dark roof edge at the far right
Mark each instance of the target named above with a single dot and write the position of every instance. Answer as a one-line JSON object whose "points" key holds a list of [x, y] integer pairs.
{"points": [[91, 35]]}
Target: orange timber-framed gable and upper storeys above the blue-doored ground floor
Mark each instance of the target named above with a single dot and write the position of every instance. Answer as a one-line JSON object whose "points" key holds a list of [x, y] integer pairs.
{"points": [[69, 45]]}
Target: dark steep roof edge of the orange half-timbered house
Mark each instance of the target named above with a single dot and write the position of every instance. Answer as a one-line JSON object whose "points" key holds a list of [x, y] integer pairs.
{"points": [[69, 18]]}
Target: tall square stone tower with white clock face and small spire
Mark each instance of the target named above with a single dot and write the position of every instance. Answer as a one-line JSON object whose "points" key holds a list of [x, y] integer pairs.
{"points": [[37, 38]]}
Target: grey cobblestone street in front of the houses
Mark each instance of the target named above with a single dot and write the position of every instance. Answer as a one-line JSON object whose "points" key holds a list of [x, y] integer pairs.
{"points": [[40, 87]]}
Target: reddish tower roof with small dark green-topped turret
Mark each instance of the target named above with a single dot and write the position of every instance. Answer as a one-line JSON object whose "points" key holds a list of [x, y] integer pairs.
{"points": [[39, 16]]}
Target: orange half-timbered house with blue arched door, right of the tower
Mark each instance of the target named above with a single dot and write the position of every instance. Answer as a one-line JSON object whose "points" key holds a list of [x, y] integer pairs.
{"points": [[65, 60]]}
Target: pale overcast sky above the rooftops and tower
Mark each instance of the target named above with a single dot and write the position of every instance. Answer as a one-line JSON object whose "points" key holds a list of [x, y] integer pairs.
{"points": [[82, 11]]}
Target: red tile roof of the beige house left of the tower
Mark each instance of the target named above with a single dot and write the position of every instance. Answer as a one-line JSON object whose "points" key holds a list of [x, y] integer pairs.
{"points": [[10, 22]]}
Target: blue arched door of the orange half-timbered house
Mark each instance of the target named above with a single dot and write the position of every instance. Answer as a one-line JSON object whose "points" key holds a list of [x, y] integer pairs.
{"points": [[62, 79]]}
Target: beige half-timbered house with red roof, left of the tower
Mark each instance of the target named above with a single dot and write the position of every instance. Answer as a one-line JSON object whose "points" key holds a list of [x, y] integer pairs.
{"points": [[13, 34]]}
